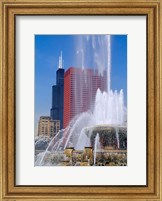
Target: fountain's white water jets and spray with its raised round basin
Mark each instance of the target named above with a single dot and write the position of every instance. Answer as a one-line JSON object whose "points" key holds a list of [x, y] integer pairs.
{"points": [[105, 122]]}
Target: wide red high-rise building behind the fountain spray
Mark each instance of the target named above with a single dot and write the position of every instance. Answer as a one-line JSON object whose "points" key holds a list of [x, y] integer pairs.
{"points": [[80, 88]]}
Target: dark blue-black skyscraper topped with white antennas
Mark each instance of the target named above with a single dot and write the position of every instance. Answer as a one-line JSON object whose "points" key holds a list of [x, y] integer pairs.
{"points": [[58, 94]]}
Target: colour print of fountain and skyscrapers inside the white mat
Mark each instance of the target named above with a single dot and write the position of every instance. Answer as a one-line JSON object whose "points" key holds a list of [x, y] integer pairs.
{"points": [[69, 135]]}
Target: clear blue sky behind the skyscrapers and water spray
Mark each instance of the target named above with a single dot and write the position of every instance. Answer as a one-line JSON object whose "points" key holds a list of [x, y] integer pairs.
{"points": [[47, 51]]}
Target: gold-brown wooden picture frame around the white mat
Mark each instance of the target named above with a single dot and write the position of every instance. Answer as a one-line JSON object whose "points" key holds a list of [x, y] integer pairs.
{"points": [[8, 188]]}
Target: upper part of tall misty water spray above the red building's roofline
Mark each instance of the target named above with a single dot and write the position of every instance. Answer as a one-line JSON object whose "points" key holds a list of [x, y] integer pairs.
{"points": [[94, 51]]}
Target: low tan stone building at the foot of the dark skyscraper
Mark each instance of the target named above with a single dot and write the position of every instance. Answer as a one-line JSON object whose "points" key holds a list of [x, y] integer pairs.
{"points": [[48, 127]]}
